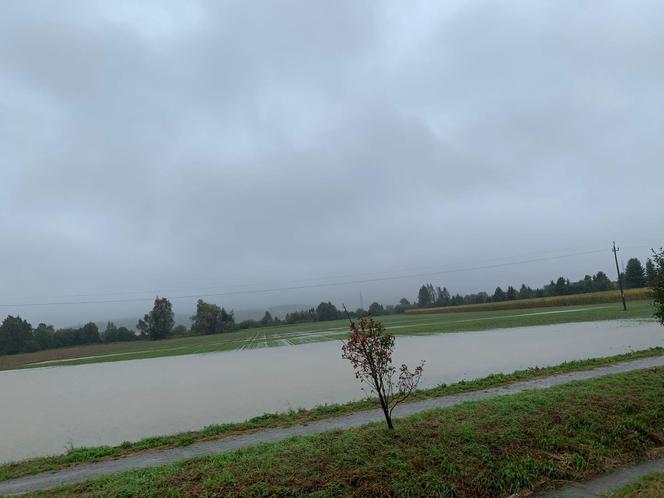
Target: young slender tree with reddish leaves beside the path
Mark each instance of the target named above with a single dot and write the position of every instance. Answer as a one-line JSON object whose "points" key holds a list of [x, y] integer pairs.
{"points": [[369, 349]]}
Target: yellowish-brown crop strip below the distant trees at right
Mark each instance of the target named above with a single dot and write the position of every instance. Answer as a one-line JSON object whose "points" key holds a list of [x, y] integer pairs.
{"points": [[541, 302]]}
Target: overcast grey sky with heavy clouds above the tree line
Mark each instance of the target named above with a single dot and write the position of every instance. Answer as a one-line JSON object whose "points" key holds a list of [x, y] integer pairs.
{"points": [[188, 148]]}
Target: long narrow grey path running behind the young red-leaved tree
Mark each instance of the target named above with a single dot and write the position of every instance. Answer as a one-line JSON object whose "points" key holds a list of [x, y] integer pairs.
{"points": [[154, 458]]}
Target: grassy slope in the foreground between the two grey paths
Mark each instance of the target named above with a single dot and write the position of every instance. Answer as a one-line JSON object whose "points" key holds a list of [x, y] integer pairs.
{"points": [[495, 447]]}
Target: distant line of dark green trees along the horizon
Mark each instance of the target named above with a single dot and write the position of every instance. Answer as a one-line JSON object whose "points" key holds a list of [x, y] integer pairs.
{"points": [[18, 335]]}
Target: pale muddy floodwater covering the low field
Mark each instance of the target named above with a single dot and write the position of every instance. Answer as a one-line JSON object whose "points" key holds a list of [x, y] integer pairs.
{"points": [[46, 410]]}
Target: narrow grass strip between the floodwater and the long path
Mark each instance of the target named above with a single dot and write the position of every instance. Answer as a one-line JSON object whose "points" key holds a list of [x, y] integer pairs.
{"points": [[77, 456]]}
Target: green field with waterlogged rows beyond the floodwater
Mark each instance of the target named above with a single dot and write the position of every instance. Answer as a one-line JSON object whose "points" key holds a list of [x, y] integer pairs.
{"points": [[284, 335]]}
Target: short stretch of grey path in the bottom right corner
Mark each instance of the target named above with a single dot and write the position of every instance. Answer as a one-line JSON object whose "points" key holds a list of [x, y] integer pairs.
{"points": [[605, 484]]}
